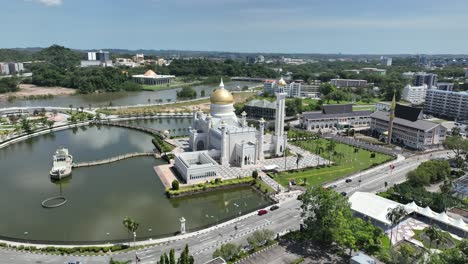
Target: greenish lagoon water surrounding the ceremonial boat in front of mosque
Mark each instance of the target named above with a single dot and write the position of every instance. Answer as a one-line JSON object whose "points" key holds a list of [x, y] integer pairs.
{"points": [[100, 197]]}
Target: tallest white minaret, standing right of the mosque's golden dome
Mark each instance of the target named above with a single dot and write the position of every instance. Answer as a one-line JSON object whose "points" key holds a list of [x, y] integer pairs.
{"points": [[279, 137]]}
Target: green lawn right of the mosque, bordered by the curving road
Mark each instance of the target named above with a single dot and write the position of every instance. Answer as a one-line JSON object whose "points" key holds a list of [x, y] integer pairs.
{"points": [[350, 163]]}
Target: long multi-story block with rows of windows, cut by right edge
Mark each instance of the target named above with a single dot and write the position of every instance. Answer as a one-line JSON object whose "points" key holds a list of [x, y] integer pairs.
{"points": [[447, 104]]}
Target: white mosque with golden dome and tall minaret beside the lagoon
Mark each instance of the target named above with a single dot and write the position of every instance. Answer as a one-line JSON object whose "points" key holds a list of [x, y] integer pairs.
{"points": [[220, 138]]}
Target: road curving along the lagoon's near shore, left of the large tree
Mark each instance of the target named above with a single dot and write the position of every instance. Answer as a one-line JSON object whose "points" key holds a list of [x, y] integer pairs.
{"points": [[201, 246]]}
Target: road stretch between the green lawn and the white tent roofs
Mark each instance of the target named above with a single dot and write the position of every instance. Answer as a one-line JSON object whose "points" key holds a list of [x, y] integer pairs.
{"points": [[375, 180]]}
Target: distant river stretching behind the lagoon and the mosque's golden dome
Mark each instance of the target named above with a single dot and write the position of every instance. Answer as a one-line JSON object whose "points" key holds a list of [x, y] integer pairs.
{"points": [[118, 98]]}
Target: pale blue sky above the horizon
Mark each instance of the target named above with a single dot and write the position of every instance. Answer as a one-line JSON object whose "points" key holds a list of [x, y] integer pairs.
{"points": [[292, 26]]}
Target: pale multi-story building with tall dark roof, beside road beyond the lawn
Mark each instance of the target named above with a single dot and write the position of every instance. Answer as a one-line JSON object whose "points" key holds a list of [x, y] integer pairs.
{"points": [[408, 128]]}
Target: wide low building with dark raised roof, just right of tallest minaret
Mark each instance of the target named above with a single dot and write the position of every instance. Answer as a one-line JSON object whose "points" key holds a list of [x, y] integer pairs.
{"points": [[335, 117]]}
